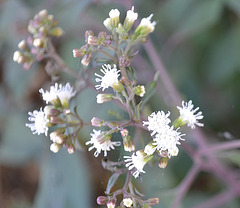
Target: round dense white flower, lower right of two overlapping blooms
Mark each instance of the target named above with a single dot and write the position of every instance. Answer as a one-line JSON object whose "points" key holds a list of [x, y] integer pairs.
{"points": [[168, 139]]}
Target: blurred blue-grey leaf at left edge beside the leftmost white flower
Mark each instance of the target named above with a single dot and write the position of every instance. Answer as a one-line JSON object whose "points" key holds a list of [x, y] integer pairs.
{"points": [[18, 145]]}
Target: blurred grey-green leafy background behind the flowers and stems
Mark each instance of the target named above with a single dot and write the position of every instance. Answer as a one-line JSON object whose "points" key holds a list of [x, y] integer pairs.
{"points": [[199, 43]]}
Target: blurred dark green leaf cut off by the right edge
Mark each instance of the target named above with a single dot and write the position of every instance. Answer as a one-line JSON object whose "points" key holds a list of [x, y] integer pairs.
{"points": [[224, 57]]}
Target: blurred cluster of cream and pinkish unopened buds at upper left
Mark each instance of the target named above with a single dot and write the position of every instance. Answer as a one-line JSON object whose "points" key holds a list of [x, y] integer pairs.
{"points": [[41, 27]]}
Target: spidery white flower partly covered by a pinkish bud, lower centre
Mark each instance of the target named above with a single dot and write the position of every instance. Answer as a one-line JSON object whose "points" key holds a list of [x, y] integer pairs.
{"points": [[105, 146]]}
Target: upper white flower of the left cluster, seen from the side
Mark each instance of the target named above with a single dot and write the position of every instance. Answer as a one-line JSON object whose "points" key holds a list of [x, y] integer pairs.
{"points": [[58, 91]]}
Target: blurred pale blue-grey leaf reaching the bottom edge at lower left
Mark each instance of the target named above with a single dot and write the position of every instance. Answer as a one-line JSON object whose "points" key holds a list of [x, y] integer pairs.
{"points": [[64, 181]]}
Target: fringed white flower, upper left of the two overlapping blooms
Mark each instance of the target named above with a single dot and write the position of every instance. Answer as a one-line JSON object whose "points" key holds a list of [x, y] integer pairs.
{"points": [[157, 121]]}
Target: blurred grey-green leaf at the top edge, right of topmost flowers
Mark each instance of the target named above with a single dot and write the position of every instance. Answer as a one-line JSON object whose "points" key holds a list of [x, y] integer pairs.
{"points": [[200, 16]]}
